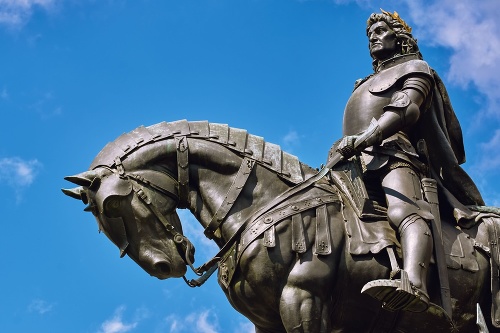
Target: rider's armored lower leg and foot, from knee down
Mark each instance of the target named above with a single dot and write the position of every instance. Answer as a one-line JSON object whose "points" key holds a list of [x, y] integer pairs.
{"points": [[409, 292]]}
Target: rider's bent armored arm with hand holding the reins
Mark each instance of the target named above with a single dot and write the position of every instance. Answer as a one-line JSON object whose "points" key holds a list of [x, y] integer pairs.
{"points": [[402, 112]]}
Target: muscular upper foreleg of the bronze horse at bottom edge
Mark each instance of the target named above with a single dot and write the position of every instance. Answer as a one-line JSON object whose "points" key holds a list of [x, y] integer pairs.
{"points": [[305, 299]]}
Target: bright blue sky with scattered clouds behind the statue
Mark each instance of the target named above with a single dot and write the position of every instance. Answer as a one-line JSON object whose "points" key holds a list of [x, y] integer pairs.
{"points": [[76, 74]]}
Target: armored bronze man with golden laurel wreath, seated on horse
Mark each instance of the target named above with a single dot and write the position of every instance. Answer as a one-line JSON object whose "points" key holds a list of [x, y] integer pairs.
{"points": [[383, 116]]}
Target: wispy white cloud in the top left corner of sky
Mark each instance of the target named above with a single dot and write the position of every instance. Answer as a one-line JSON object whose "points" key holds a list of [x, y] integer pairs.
{"points": [[15, 13]]}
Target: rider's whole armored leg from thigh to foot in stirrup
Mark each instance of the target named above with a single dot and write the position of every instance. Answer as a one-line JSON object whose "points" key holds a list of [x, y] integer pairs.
{"points": [[407, 214]]}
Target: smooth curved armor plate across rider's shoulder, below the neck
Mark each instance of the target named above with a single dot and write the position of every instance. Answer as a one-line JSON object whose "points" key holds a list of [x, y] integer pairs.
{"points": [[388, 77]]}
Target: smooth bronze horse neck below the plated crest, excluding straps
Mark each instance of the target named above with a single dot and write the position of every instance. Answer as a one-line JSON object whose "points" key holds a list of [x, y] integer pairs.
{"points": [[212, 171]]}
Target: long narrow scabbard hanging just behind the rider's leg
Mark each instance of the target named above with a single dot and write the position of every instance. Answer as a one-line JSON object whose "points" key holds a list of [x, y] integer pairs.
{"points": [[431, 196]]}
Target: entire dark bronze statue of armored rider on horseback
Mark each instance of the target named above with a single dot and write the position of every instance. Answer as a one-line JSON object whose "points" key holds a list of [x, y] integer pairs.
{"points": [[308, 251]]}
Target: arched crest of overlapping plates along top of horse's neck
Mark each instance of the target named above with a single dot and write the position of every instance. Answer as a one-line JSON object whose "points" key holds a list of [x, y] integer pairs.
{"points": [[237, 140]]}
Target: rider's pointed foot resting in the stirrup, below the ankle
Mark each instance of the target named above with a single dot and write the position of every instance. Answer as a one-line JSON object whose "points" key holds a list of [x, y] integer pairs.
{"points": [[397, 294]]}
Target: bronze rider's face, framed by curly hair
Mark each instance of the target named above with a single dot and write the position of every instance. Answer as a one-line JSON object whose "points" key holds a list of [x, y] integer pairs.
{"points": [[382, 41]]}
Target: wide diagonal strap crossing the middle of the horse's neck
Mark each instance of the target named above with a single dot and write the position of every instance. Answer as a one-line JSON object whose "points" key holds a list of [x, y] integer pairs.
{"points": [[232, 194]]}
